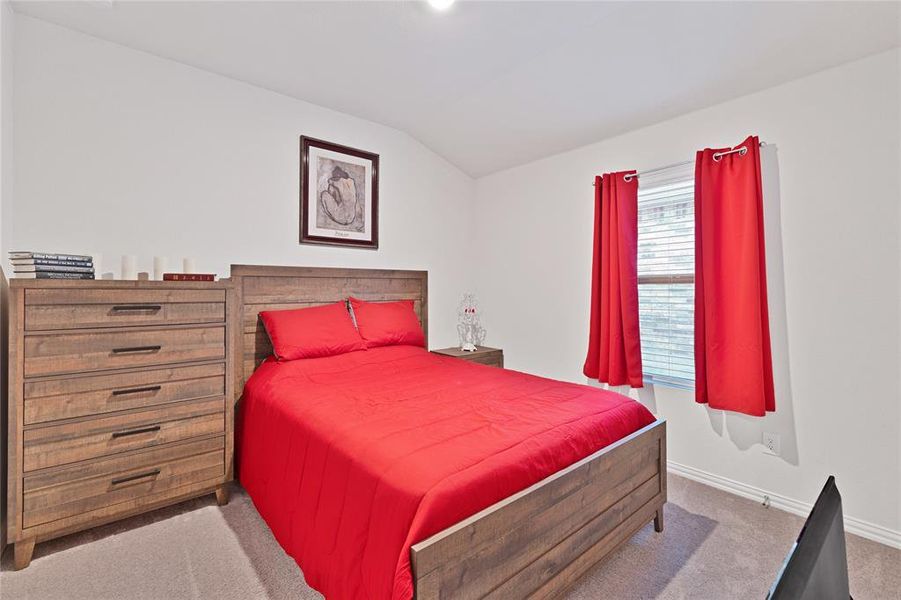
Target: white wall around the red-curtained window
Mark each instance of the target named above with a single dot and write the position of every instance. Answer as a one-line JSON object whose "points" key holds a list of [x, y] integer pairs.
{"points": [[834, 314]]}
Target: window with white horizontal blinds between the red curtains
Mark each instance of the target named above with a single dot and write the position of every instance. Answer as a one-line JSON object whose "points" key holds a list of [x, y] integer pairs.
{"points": [[666, 276]]}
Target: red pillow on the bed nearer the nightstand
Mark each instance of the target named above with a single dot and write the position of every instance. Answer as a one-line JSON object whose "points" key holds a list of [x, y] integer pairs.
{"points": [[387, 323]]}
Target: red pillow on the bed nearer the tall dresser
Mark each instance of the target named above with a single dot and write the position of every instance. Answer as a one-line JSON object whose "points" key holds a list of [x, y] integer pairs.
{"points": [[311, 332]]}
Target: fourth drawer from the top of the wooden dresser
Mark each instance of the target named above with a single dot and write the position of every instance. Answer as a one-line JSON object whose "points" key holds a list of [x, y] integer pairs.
{"points": [[66, 443]]}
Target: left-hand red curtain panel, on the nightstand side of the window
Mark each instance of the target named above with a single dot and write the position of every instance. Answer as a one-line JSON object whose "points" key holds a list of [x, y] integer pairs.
{"points": [[614, 349]]}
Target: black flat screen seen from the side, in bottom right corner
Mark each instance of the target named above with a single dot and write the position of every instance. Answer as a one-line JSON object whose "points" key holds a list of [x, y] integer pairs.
{"points": [[817, 565]]}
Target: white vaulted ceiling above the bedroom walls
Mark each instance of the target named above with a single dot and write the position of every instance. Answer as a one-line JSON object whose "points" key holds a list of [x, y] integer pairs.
{"points": [[490, 85]]}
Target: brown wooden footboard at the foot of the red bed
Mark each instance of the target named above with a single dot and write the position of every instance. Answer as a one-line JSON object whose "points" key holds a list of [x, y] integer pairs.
{"points": [[538, 542]]}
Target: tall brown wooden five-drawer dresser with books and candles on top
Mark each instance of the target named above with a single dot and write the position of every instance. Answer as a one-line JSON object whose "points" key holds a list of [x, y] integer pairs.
{"points": [[120, 401]]}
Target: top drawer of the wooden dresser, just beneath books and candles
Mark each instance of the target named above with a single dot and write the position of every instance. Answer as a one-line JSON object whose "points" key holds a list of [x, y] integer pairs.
{"points": [[78, 309]]}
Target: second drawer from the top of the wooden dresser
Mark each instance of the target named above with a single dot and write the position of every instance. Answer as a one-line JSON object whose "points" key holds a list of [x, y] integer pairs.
{"points": [[52, 354]]}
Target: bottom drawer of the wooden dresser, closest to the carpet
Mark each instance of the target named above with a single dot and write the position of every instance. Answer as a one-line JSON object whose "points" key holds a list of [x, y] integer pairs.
{"points": [[123, 481]]}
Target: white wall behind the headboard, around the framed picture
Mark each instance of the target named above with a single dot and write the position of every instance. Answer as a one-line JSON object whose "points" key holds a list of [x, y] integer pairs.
{"points": [[121, 152]]}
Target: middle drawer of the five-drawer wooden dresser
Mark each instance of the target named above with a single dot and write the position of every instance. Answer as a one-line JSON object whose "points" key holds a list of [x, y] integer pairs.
{"points": [[54, 399]]}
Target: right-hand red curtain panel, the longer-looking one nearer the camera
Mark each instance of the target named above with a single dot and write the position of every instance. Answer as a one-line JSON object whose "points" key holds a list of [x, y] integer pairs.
{"points": [[733, 365]]}
